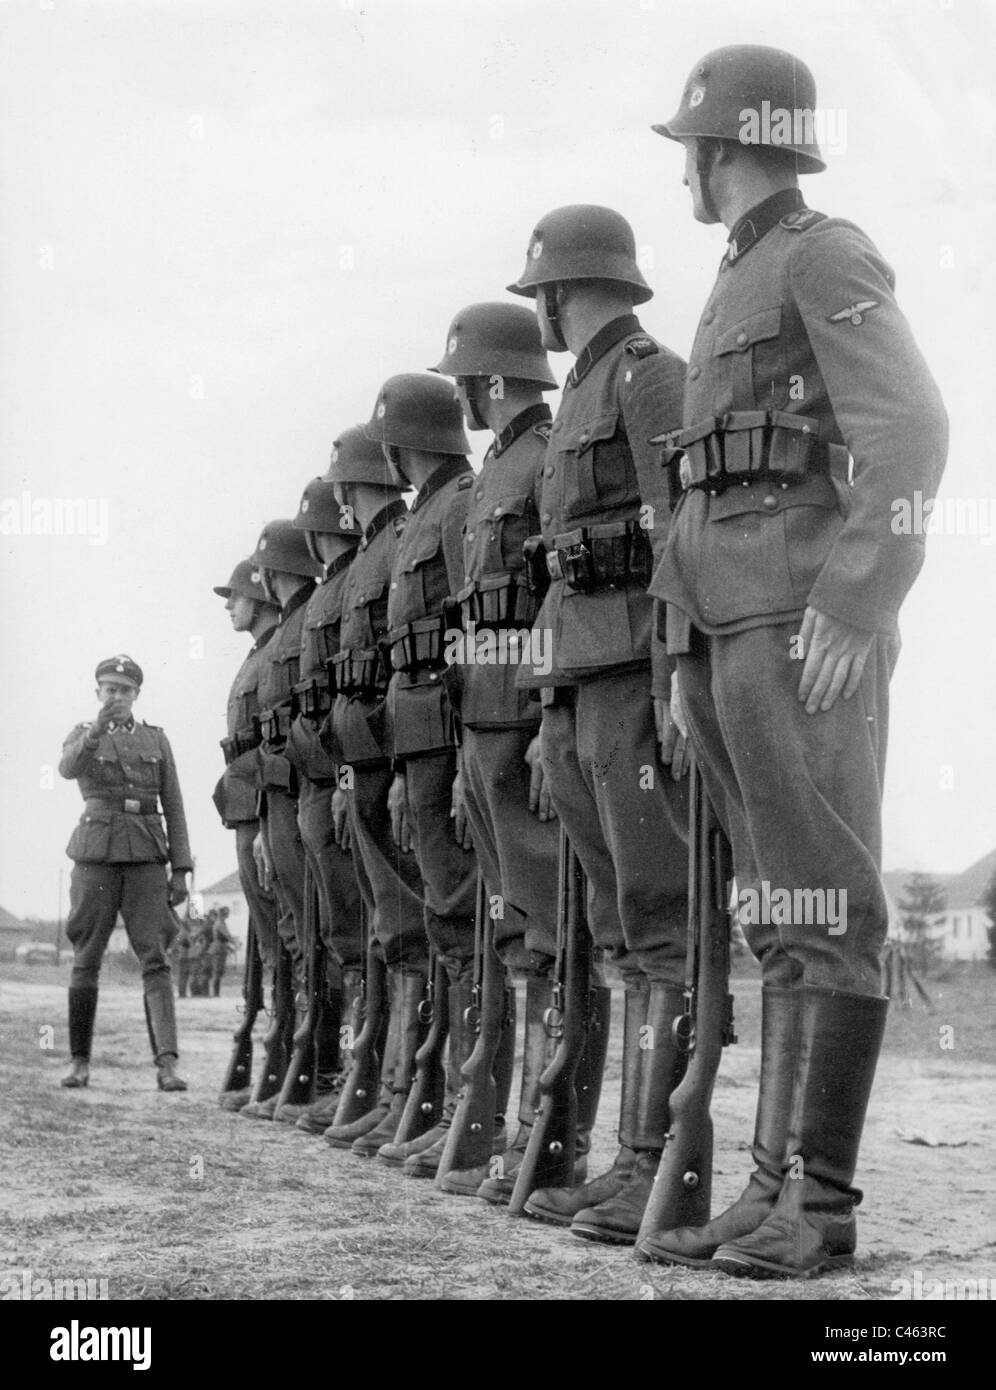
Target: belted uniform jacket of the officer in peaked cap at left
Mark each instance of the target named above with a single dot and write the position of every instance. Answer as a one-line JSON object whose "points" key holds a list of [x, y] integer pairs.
{"points": [[123, 780]]}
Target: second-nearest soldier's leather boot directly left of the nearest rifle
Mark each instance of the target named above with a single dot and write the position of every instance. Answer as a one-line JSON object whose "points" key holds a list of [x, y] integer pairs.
{"points": [[617, 1221]]}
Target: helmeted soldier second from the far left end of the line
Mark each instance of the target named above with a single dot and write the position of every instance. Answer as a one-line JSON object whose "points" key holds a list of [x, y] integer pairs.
{"points": [[288, 576]]}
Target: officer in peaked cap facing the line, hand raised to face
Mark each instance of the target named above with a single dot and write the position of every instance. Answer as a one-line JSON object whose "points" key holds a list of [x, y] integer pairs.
{"points": [[126, 769]]}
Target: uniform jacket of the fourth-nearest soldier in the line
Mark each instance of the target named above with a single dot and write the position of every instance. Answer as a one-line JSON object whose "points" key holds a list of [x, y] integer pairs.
{"points": [[429, 569]]}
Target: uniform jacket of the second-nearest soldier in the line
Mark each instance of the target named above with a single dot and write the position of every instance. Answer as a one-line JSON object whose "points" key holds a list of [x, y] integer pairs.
{"points": [[601, 468]]}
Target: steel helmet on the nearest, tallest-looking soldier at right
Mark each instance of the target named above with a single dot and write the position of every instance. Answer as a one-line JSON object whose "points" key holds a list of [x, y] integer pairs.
{"points": [[740, 92]]}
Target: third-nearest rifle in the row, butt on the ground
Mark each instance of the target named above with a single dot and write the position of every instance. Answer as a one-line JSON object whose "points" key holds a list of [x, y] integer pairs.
{"points": [[472, 1138]]}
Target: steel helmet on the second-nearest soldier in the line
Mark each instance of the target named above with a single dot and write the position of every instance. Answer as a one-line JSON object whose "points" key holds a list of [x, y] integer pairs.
{"points": [[583, 243]]}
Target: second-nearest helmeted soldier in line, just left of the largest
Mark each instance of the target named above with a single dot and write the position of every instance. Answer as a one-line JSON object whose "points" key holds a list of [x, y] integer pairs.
{"points": [[601, 501]]}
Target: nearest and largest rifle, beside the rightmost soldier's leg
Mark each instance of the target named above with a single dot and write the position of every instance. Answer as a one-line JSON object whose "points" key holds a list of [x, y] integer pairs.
{"points": [[684, 1184]]}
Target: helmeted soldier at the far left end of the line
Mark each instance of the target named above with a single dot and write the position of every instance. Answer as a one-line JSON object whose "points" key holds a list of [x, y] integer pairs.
{"points": [[238, 792]]}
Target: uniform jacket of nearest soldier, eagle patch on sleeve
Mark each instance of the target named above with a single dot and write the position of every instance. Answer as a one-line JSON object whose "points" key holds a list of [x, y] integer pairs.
{"points": [[804, 319]]}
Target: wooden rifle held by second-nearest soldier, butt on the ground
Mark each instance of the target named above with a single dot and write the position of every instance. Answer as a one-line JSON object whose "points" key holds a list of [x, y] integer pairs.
{"points": [[549, 1160]]}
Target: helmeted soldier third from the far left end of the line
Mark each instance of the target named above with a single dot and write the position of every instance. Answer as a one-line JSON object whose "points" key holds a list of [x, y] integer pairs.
{"points": [[331, 537]]}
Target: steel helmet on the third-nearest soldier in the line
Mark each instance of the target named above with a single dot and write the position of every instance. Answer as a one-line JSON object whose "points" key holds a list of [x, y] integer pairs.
{"points": [[497, 341]]}
